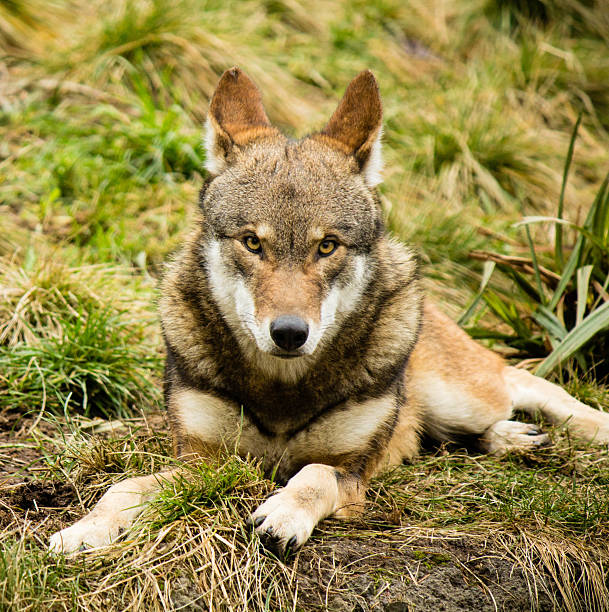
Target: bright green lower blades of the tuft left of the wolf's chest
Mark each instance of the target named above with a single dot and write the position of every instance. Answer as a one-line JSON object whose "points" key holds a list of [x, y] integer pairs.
{"points": [[91, 367]]}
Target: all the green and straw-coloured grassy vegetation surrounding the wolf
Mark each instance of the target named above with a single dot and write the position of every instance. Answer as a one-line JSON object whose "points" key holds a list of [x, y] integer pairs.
{"points": [[101, 112]]}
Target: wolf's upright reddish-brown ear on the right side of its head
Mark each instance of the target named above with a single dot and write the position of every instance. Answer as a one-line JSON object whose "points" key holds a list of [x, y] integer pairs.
{"points": [[356, 126]]}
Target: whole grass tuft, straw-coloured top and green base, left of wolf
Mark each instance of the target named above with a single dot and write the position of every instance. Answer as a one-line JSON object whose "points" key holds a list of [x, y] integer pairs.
{"points": [[64, 347]]}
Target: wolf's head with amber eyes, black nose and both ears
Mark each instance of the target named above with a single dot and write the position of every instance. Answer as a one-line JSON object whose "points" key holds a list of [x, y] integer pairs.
{"points": [[289, 227]]}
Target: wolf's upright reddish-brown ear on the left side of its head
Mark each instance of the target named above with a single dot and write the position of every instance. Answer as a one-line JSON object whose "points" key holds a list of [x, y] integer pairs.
{"points": [[236, 118]]}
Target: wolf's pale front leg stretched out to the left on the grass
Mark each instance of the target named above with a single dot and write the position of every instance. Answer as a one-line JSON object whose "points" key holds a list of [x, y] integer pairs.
{"points": [[114, 513]]}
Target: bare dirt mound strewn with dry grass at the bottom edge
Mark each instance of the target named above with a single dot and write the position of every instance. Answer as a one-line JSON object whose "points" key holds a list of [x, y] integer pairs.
{"points": [[450, 575]]}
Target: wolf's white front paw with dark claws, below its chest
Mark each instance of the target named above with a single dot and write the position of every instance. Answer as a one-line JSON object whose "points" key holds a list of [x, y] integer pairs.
{"points": [[282, 523]]}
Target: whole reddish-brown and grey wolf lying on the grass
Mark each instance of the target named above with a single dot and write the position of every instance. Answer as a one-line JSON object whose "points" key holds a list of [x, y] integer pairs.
{"points": [[297, 330]]}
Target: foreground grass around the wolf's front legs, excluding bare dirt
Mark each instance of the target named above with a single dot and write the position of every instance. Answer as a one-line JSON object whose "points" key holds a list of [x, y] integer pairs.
{"points": [[193, 543]]}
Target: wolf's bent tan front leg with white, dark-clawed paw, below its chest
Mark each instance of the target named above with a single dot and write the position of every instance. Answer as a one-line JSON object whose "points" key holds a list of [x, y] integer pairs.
{"points": [[286, 520]]}
